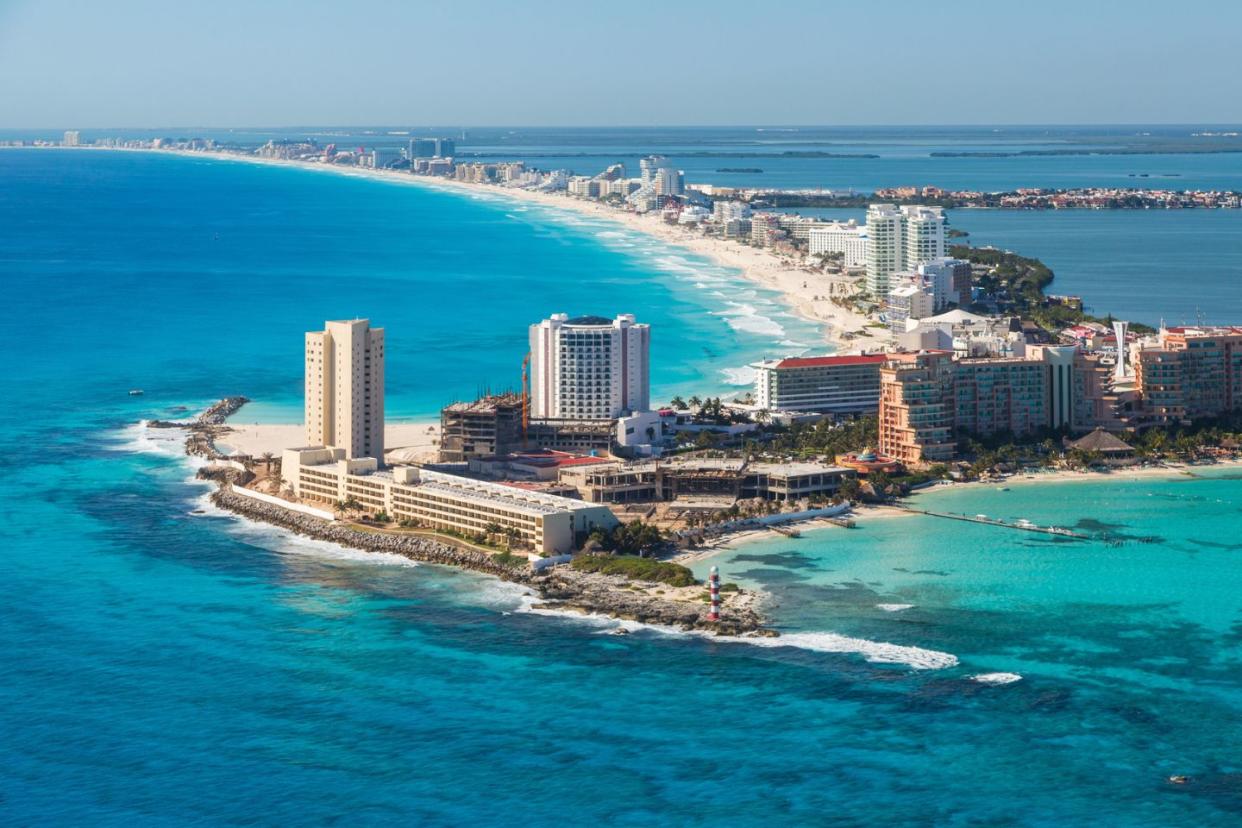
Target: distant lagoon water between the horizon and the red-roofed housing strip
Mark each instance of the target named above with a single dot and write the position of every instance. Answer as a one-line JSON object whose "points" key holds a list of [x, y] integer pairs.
{"points": [[902, 156]]}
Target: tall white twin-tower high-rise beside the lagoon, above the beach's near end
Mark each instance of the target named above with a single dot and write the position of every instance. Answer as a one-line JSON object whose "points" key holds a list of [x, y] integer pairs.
{"points": [[901, 239]]}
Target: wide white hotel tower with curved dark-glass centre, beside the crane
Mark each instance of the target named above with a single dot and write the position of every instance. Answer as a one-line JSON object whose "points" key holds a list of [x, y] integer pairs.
{"points": [[589, 368]]}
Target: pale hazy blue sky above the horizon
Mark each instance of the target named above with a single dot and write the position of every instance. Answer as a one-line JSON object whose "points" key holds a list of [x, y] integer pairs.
{"points": [[671, 63]]}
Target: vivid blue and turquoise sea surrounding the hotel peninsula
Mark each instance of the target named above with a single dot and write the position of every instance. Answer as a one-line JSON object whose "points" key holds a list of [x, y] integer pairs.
{"points": [[166, 665]]}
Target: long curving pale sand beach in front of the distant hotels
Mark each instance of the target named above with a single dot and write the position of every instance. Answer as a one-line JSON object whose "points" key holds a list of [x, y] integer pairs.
{"points": [[803, 292]]}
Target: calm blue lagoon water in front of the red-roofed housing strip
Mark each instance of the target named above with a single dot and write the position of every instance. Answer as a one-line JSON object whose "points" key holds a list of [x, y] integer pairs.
{"points": [[1183, 266]]}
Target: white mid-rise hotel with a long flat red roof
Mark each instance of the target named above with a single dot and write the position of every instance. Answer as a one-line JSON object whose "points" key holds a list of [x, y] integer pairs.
{"points": [[830, 385]]}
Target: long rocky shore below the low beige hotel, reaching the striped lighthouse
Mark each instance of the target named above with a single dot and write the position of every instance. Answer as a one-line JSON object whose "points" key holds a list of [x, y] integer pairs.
{"points": [[561, 588]]}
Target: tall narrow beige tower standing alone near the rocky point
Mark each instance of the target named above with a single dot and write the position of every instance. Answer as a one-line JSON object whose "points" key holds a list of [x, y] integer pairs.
{"points": [[345, 394]]}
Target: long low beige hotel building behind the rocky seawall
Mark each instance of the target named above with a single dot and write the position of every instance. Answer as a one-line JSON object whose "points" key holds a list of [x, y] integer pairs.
{"points": [[546, 523]]}
